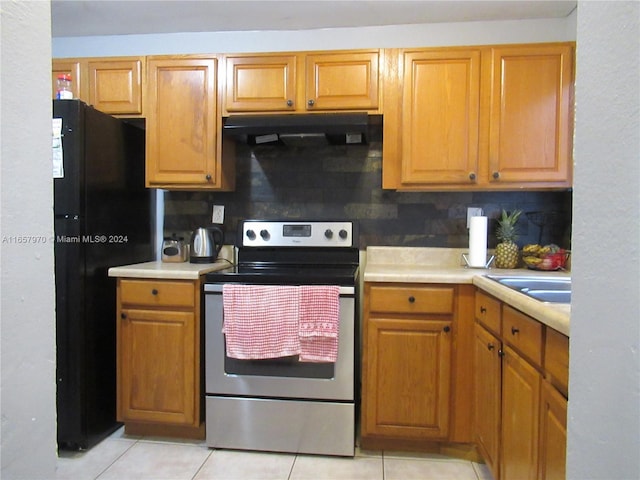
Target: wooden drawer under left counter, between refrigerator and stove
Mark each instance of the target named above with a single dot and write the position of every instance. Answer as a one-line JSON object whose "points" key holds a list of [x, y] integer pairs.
{"points": [[157, 293]]}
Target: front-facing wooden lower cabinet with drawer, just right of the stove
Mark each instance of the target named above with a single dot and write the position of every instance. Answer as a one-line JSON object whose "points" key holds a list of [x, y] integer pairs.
{"points": [[416, 369]]}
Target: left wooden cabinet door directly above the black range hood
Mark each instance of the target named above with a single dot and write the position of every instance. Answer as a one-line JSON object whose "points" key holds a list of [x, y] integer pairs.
{"points": [[260, 83]]}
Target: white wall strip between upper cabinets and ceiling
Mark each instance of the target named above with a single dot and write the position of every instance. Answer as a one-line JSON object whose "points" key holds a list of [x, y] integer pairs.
{"points": [[442, 34]]}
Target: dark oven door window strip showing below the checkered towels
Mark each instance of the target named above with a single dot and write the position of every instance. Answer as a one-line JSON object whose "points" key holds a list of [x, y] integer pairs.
{"points": [[278, 367]]}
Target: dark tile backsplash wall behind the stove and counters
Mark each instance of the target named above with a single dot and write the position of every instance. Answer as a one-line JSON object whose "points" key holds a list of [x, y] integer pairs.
{"points": [[344, 182]]}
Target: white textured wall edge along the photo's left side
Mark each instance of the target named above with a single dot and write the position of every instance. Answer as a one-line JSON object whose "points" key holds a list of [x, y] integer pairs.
{"points": [[27, 317]]}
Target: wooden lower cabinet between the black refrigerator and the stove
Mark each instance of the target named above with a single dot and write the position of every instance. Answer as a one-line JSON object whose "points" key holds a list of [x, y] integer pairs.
{"points": [[158, 344]]}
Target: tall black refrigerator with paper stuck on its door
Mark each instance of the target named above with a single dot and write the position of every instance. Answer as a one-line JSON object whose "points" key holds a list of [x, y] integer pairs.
{"points": [[104, 217]]}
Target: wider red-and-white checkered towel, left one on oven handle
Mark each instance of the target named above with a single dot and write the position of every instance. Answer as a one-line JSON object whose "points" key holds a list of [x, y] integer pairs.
{"points": [[261, 321]]}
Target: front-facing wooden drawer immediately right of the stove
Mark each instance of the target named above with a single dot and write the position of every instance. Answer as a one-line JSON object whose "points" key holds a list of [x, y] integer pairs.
{"points": [[436, 300]]}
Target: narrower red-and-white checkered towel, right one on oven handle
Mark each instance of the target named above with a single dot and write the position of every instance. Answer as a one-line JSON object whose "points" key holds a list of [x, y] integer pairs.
{"points": [[319, 323]]}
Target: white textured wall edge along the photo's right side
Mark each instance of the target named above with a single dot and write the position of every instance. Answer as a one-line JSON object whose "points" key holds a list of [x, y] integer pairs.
{"points": [[604, 389]]}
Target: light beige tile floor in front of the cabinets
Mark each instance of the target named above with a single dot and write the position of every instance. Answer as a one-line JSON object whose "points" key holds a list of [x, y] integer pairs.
{"points": [[124, 457]]}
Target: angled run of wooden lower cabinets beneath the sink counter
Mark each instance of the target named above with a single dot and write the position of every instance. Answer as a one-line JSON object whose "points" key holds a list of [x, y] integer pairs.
{"points": [[520, 383]]}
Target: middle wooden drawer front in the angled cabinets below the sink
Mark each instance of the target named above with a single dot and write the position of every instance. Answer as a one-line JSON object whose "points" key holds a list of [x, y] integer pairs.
{"points": [[523, 333]]}
